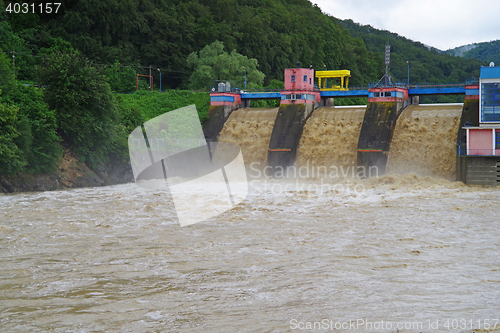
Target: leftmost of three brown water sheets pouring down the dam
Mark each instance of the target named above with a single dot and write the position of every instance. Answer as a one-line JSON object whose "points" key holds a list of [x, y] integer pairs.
{"points": [[251, 129]]}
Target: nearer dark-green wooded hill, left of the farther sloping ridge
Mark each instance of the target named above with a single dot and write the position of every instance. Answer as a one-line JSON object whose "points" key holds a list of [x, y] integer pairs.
{"points": [[163, 33]]}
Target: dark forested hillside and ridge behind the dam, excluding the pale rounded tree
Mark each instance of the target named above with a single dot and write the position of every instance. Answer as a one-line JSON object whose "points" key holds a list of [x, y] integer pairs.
{"points": [[277, 33]]}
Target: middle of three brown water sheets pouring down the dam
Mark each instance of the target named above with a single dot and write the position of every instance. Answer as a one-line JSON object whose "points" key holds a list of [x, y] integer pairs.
{"points": [[330, 137]]}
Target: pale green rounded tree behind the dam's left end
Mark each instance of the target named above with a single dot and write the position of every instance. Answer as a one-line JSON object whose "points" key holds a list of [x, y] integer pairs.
{"points": [[213, 63]]}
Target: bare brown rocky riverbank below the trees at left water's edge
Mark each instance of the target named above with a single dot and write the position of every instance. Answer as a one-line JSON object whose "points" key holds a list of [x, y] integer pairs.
{"points": [[70, 173]]}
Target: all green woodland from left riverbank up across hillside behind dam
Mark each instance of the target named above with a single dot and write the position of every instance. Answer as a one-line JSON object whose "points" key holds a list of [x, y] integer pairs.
{"points": [[76, 62]]}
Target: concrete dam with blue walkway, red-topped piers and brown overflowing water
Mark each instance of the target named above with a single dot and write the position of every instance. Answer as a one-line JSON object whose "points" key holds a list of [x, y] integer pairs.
{"points": [[392, 133]]}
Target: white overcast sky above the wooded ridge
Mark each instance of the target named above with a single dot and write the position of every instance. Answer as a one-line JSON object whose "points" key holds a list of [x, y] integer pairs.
{"points": [[443, 24]]}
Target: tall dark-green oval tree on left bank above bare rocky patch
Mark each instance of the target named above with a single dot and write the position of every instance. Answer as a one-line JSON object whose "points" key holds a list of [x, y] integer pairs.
{"points": [[85, 108]]}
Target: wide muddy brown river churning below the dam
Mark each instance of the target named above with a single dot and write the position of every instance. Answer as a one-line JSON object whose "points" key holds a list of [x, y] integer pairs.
{"points": [[401, 249]]}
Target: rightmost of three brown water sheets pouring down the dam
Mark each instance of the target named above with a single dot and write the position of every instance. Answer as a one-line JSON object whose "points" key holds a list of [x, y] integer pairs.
{"points": [[425, 141]]}
